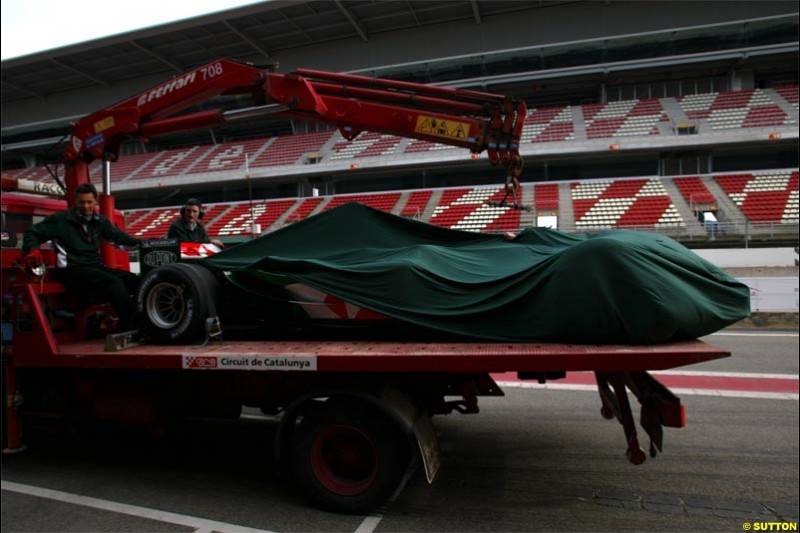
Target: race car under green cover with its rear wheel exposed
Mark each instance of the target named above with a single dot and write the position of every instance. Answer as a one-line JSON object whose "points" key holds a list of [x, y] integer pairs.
{"points": [[358, 266]]}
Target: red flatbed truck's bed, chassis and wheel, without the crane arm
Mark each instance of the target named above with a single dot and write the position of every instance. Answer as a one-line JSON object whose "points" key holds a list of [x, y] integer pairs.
{"points": [[353, 413]]}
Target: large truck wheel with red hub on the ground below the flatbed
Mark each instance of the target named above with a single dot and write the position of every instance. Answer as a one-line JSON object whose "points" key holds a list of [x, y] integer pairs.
{"points": [[349, 458]]}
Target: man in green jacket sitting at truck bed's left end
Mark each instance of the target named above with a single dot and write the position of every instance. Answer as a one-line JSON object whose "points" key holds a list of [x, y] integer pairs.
{"points": [[76, 235]]}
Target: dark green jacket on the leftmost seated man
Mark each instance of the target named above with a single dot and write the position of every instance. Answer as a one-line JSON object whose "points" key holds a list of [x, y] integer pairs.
{"points": [[75, 243]]}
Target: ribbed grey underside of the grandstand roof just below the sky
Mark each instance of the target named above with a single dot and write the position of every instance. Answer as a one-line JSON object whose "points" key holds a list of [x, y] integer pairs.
{"points": [[251, 33]]}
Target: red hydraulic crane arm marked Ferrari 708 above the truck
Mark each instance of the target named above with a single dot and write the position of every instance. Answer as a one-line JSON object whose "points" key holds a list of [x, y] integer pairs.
{"points": [[474, 120]]}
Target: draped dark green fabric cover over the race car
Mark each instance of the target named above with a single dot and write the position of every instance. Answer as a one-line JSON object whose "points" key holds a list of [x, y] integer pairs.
{"points": [[544, 285]]}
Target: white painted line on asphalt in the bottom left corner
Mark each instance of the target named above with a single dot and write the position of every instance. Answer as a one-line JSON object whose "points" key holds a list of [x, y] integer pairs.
{"points": [[201, 525]]}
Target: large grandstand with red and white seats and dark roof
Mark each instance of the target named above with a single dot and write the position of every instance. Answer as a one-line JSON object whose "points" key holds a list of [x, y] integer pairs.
{"points": [[678, 121]]}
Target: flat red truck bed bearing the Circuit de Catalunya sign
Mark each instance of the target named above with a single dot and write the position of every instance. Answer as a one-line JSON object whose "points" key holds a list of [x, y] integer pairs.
{"points": [[413, 357]]}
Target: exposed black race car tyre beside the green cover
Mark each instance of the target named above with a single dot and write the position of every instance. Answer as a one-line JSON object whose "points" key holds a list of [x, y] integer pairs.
{"points": [[174, 302]]}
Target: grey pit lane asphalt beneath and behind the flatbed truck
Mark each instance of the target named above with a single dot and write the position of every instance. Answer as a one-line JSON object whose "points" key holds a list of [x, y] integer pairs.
{"points": [[535, 460]]}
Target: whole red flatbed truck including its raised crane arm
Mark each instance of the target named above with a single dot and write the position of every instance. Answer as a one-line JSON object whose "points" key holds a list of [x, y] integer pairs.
{"points": [[353, 412]]}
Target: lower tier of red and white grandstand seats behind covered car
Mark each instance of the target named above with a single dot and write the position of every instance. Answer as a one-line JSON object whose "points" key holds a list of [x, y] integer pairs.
{"points": [[766, 202]]}
